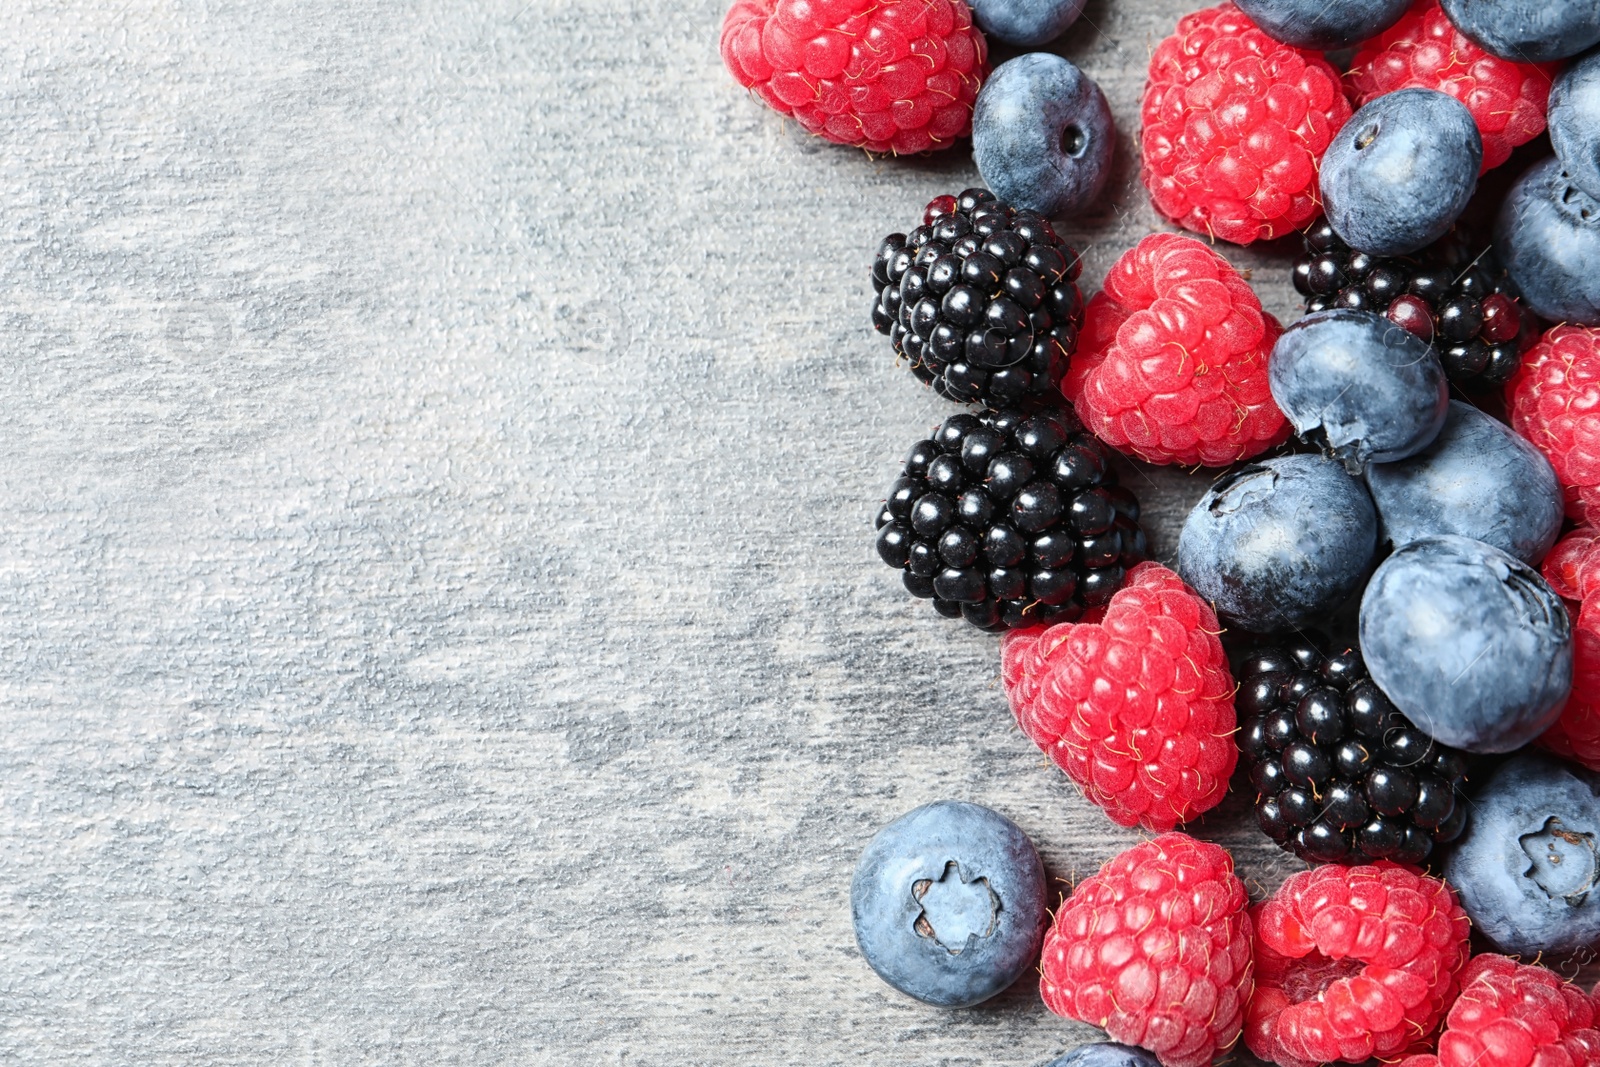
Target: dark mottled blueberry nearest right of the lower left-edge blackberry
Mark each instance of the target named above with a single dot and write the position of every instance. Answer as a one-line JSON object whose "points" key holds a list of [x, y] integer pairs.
{"points": [[1279, 545]]}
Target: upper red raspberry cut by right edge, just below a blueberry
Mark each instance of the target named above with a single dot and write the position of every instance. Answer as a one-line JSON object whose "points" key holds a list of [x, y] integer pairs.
{"points": [[1554, 401]]}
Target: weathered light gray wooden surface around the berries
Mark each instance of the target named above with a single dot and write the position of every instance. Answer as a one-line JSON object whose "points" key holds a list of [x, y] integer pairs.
{"points": [[439, 620]]}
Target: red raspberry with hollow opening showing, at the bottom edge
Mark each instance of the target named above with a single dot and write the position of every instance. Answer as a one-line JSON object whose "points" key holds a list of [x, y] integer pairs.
{"points": [[1351, 964]]}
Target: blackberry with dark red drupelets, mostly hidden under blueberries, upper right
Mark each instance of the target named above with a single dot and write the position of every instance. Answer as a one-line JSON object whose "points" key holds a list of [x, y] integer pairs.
{"points": [[1454, 295]]}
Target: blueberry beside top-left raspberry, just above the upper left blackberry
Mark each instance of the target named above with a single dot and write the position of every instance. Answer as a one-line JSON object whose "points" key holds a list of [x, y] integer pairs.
{"points": [[1042, 135]]}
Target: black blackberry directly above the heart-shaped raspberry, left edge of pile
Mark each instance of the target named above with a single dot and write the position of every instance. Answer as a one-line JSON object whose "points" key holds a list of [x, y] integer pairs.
{"points": [[1010, 521]]}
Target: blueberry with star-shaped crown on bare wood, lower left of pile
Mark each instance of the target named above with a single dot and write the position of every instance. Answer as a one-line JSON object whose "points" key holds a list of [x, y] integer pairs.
{"points": [[950, 903]]}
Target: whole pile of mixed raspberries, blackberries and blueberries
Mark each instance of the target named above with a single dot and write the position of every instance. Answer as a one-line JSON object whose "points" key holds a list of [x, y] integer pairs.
{"points": [[1382, 620]]}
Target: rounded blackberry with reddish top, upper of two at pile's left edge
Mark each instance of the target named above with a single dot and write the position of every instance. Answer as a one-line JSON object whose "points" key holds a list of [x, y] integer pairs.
{"points": [[982, 300]]}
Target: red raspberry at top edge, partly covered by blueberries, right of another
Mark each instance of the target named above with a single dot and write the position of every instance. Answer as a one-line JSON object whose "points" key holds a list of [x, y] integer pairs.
{"points": [[1423, 50]]}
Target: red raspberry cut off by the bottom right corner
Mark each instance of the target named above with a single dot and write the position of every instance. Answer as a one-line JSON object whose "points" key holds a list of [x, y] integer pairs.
{"points": [[1516, 1015]]}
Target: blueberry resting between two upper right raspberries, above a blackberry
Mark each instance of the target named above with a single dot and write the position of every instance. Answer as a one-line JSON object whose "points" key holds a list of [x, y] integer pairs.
{"points": [[1401, 172]]}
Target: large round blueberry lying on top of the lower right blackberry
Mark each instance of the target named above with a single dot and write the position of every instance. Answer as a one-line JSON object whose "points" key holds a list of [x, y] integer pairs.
{"points": [[1468, 642]]}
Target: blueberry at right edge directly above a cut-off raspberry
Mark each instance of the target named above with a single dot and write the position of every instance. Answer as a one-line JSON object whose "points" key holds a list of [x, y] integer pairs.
{"points": [[1548, 239]]}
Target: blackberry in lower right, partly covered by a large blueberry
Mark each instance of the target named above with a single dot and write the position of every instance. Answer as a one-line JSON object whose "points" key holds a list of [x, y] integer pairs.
{"points": [[1340, 775]]}
